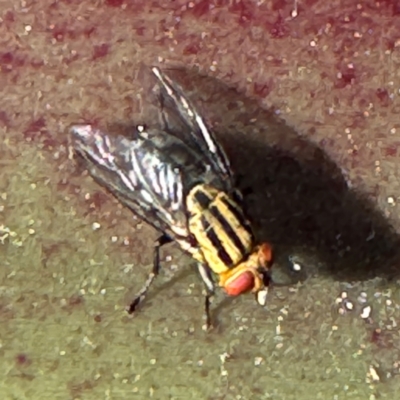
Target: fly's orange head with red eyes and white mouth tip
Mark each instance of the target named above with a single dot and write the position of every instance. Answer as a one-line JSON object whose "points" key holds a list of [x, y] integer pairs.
{"points": [[252, 275]]}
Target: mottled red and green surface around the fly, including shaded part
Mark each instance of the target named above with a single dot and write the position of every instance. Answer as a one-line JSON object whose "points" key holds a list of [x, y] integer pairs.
{"points": [[305, 98]]}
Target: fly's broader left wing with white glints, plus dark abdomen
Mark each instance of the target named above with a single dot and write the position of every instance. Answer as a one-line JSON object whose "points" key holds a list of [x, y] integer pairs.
{"points": [[149, 173]]}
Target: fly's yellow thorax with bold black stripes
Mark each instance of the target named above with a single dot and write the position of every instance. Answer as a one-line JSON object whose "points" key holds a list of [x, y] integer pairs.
{"points": [[220, 227]]}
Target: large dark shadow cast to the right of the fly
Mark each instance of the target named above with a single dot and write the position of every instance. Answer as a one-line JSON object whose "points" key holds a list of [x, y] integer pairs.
{"points": [[299, 201]]}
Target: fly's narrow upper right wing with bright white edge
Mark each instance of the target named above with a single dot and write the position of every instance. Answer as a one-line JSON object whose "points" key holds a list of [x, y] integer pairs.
{"points": [[182, 120]]}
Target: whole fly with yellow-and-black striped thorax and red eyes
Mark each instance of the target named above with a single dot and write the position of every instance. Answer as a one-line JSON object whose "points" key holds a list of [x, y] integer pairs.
{"points": [[177, 178]]}
